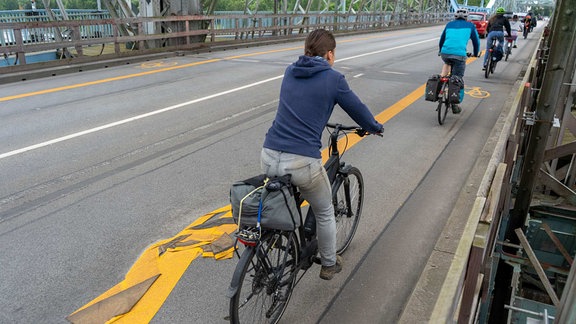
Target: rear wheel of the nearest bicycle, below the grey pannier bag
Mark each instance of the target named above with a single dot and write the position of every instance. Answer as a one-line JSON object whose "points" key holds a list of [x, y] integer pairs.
{"points": [[264, 279]]}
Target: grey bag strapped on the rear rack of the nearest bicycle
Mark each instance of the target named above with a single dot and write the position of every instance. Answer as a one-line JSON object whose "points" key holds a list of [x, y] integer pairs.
{"points": [[265, 202]]}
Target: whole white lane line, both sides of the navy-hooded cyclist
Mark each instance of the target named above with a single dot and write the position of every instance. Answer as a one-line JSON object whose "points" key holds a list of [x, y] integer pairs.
{"points": [[152, 113]]}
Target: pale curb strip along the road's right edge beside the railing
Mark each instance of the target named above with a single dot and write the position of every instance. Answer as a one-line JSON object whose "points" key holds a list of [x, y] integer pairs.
{"points": [[437, 290]]}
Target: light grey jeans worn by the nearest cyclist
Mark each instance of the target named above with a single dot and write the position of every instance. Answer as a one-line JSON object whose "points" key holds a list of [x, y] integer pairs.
{"points": [[309, 175]]}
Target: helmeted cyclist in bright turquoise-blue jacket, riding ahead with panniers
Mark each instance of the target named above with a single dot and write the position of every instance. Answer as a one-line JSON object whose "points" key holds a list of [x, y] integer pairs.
{"points": [[453, 43]]}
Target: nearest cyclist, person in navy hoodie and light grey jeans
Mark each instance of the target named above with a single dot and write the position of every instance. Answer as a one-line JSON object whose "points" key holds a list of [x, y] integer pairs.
{"points": [[310, 90]]}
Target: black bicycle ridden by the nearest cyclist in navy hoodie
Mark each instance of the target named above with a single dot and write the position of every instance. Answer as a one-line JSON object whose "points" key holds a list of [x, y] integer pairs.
{"points": [[268, 269]]}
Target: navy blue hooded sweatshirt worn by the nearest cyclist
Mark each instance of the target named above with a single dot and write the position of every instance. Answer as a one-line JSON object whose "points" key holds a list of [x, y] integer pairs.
{"points": [[310, 90]]}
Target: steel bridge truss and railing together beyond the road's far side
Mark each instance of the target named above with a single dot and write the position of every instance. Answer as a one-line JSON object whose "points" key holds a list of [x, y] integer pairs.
{"points": [[166, 25]]}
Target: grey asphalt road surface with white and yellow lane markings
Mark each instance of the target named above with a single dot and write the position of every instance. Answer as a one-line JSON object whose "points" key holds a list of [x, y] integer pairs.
{"points": [[99, 166]]}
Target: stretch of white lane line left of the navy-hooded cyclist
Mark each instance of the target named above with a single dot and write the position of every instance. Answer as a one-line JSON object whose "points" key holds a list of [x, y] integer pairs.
{"points": [[131, 119]]}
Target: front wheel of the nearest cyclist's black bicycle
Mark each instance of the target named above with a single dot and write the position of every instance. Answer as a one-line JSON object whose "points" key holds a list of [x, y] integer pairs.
{"points": [[351, 184]]}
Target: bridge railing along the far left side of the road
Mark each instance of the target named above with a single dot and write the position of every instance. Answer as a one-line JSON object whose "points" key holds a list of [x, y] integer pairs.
{"points": [[71, 38]]}
